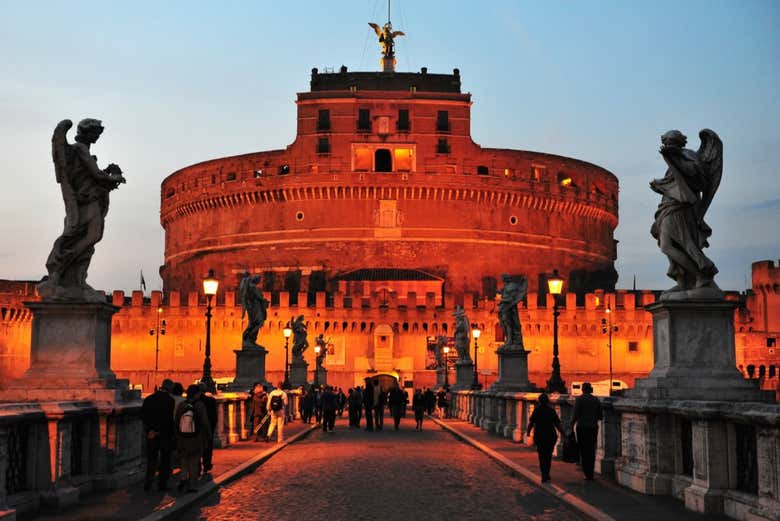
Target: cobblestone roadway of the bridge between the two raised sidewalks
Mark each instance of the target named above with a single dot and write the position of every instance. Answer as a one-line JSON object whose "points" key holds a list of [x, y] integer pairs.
{"points": [[388, 475]]}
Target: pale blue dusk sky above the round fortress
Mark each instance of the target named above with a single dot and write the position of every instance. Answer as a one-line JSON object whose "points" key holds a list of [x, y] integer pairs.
{"points": [[177, 83]]}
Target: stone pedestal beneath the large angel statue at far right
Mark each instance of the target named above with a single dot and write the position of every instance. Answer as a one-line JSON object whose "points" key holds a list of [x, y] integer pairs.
{"points": [[693, 344]]}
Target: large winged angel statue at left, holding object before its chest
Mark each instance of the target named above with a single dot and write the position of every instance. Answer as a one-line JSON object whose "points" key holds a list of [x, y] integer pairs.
{"points": [[85, 188]]}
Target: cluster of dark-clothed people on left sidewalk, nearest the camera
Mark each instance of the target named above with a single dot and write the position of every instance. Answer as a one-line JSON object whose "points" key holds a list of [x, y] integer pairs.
{"points": [[178, 425]]}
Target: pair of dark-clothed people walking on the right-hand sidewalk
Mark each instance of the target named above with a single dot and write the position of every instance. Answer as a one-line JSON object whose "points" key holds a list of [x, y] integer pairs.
{"points": [[544, 423]]}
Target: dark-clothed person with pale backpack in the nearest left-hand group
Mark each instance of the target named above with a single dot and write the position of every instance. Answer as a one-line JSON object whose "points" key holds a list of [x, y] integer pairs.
{"points": [[192, 434]]}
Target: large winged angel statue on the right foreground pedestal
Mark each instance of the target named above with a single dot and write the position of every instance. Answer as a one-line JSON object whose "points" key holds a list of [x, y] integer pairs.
{"points": [[687, 190]]}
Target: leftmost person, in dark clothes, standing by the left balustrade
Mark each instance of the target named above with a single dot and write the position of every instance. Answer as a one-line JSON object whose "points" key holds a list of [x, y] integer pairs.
{"points": [[157, 416]]}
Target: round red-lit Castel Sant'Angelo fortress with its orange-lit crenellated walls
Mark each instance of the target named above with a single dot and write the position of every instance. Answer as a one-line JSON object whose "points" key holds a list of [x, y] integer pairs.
{"points": [[379, 219]]}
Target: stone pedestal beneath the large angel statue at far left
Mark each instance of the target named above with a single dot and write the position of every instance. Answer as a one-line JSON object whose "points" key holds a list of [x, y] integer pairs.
{"points": [[70, 355]]}
